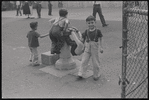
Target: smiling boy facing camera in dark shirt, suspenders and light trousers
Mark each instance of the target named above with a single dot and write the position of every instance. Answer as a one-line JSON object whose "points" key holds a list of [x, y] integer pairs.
{"points": [[93, 41]]}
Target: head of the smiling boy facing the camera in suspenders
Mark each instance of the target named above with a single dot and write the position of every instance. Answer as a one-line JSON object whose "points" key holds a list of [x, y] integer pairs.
{"points": [[91, 21]]}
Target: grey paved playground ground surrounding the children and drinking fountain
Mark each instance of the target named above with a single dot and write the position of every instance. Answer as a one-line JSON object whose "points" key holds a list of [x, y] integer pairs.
{"points": [[20, 80]]}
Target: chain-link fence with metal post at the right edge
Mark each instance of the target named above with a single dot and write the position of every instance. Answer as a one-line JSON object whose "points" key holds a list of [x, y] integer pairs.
{"points": [[135, 49]]}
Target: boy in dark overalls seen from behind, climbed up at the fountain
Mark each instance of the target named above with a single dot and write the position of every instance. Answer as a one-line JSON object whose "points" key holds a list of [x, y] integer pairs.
{"points": [[58, 34]]}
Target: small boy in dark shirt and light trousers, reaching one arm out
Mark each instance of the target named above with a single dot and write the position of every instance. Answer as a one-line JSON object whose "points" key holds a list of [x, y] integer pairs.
{"points": [[33, 43]]}
